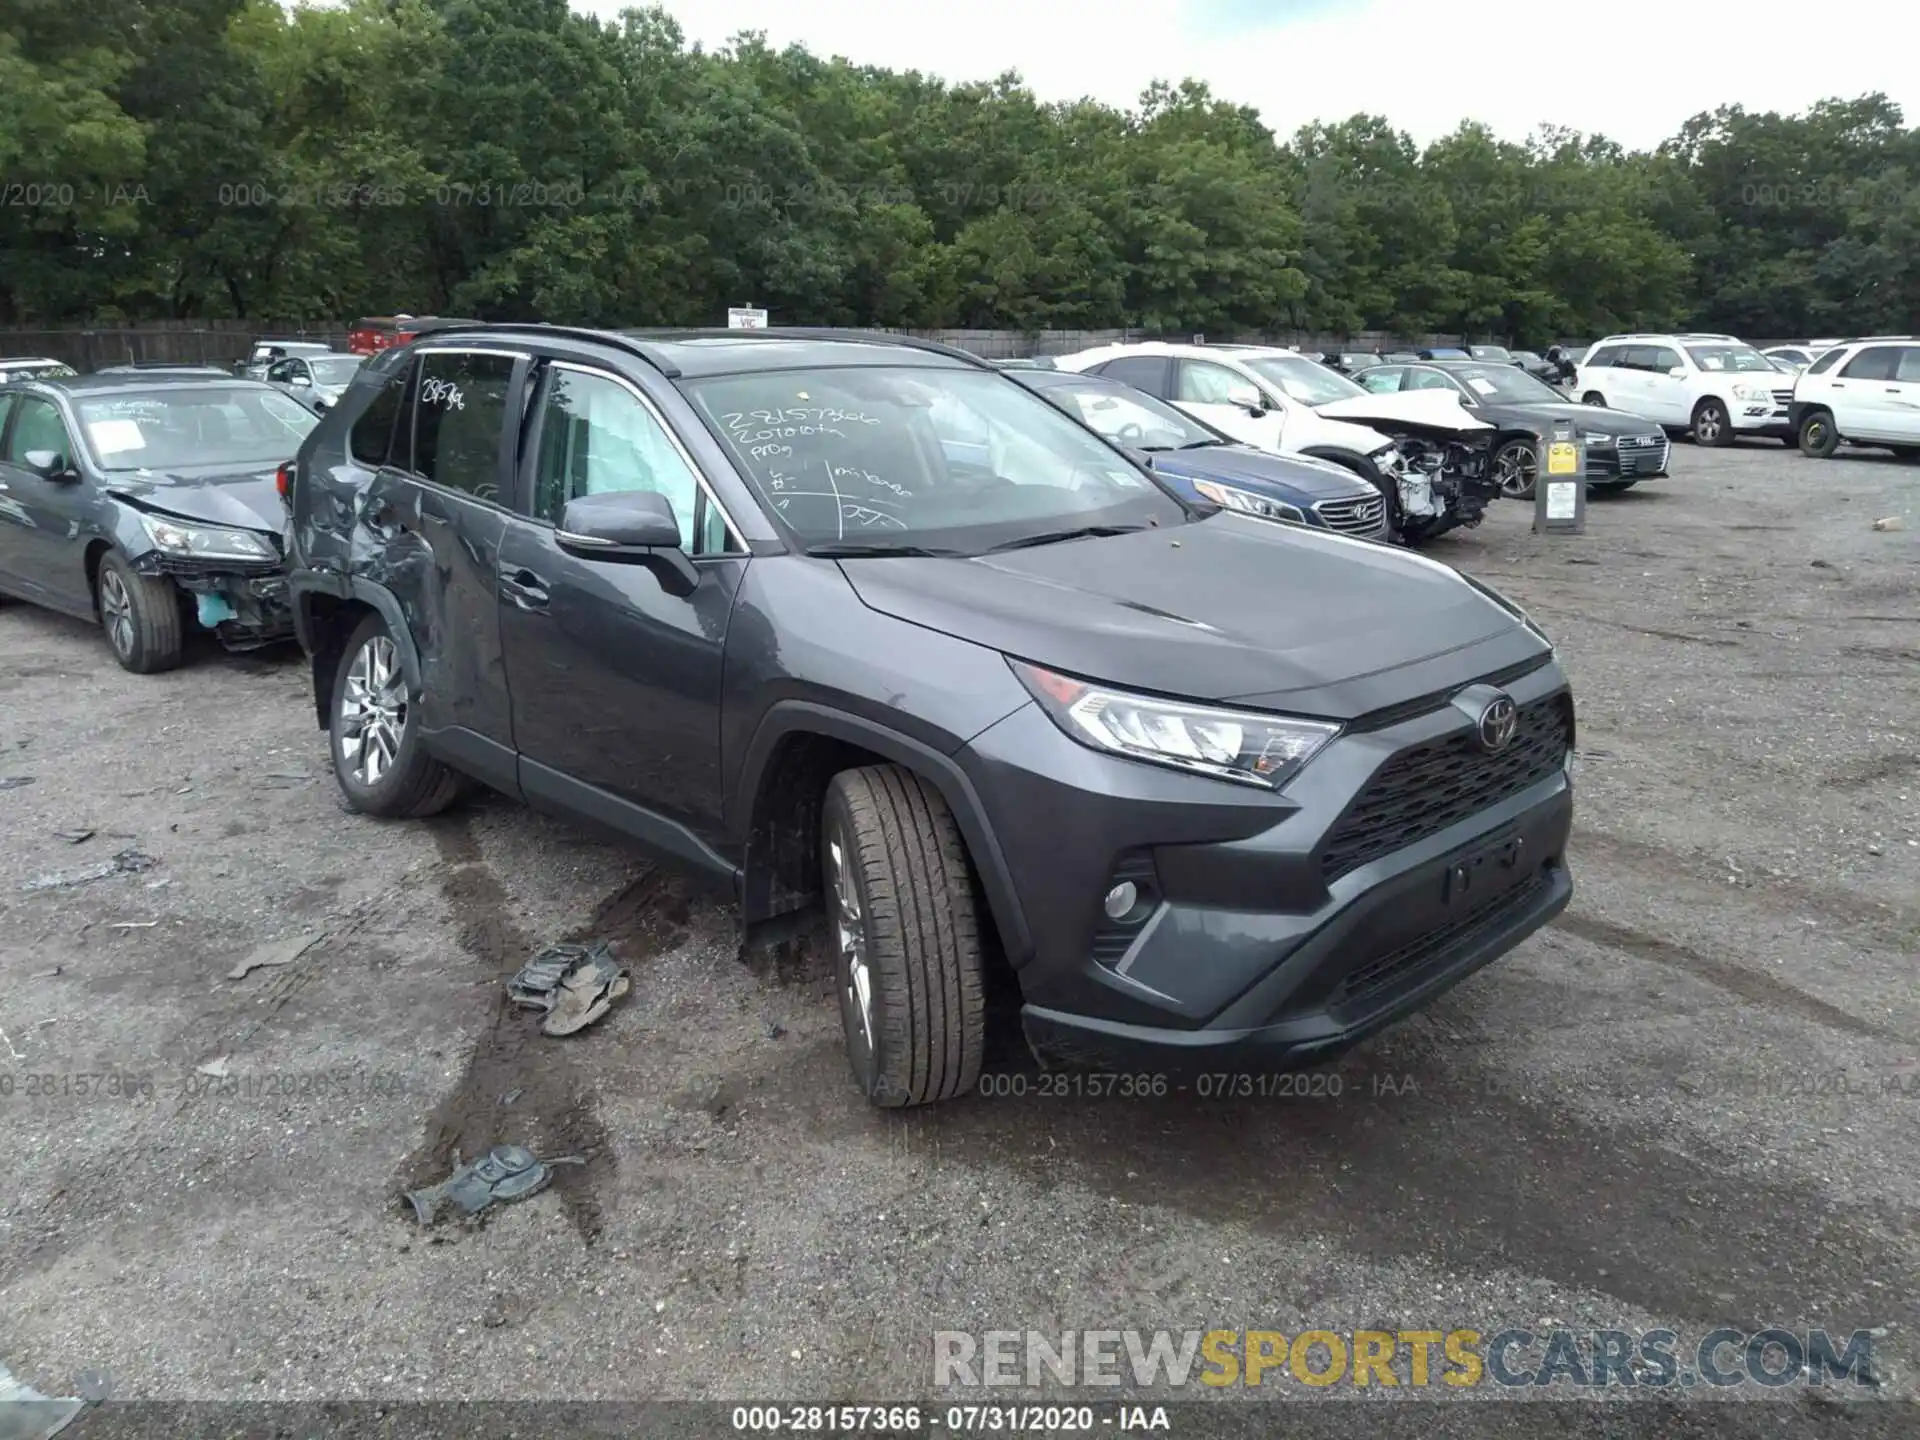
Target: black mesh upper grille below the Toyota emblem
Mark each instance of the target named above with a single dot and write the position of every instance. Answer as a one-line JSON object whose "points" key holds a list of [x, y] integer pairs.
{"points": [[1433, 786]]}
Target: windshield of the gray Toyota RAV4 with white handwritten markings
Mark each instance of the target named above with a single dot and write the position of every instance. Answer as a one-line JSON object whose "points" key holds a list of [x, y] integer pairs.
{"points": [[917, 456]]}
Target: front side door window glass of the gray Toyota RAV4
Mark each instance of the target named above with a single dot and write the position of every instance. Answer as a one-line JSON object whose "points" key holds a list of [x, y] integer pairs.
{"points": [[596, 439]]}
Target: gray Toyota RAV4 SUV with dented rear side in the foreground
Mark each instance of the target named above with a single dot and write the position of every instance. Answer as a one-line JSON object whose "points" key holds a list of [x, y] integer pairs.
{"points": [[857, 625]]}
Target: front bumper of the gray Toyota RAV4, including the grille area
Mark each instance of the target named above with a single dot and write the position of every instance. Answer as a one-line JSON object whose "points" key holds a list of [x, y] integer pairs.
{"points": [[1270, 936]]}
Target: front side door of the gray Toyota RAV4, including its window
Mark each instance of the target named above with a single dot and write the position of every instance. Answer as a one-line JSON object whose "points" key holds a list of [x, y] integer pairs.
{"points": [[615, 683]]}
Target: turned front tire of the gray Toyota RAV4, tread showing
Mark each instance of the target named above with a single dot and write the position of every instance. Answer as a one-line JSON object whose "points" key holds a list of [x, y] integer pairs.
{"points": [[905, 936]]}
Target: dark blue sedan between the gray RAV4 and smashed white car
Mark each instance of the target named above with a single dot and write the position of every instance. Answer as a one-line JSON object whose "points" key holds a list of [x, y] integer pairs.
{"points": [[1207, 466]]}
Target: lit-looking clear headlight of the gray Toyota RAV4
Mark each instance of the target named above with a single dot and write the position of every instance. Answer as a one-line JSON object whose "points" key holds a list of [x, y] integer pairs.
{"points": [[1257, 750]]}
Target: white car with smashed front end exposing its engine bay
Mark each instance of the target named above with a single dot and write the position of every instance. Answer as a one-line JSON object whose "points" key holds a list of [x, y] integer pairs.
{"points": [[1287, 404]]}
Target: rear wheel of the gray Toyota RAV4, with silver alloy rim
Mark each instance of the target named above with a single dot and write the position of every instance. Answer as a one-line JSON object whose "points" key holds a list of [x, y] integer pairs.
{"points": [[375, 734]]}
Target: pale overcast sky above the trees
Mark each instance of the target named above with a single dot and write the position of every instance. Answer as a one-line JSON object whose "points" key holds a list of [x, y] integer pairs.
{"points": [[1633, 70]]}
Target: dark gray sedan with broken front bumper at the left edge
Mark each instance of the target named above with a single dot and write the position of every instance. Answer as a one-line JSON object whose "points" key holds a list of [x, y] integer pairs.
{"points": [[149, 504]]}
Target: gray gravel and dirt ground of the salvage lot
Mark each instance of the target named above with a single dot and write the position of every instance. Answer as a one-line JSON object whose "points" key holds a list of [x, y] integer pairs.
{"points": [[1691, 1103]]}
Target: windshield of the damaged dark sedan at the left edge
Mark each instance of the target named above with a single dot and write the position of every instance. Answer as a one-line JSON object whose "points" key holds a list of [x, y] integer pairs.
{"points": [[180, 429]]}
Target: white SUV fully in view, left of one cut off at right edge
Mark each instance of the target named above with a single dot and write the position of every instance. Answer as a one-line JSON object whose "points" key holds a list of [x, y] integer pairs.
{"points": [[1710, 385]]}
